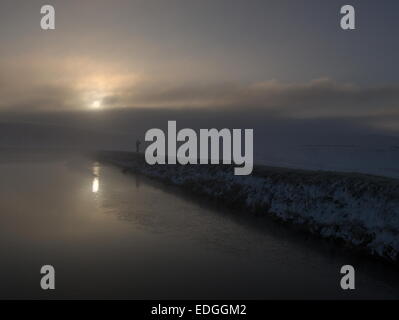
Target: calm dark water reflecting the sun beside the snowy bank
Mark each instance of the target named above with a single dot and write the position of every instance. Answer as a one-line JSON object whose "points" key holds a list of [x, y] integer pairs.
{"points": [[111, 235]]}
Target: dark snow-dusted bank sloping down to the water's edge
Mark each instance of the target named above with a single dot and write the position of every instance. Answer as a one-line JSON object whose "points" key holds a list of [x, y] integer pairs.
{"points": [[361, 210]]}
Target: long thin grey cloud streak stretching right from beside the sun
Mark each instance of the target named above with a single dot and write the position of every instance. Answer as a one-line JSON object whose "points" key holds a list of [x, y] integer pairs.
{"points": [[317, 98]]}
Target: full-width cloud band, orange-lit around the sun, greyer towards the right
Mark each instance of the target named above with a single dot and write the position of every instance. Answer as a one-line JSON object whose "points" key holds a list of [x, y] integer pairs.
{"points": [[73, 83]]}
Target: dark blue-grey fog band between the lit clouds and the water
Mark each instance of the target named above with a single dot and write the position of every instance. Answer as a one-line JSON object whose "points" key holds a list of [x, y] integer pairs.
{"points": [[338, 144]]}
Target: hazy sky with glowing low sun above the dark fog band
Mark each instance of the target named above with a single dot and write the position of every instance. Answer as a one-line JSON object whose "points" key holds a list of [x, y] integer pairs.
{"points": [[256, 60]]}
